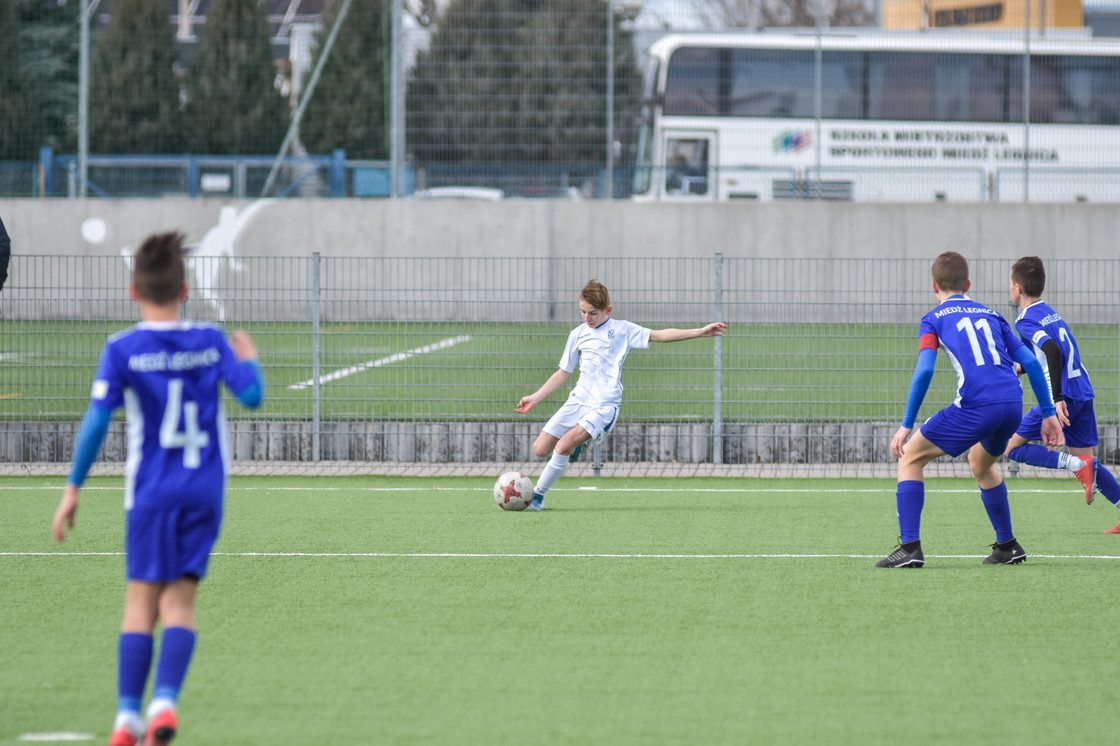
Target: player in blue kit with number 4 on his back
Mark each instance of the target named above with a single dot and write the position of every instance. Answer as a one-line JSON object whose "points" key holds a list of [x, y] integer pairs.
{"points": [[166, 374]]}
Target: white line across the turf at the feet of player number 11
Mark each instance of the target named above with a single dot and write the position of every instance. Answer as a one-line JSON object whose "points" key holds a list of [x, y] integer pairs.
{"points": [[556, 556]]}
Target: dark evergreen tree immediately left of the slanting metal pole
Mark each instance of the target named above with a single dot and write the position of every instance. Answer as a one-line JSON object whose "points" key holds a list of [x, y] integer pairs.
{"points": [[234, 107]]}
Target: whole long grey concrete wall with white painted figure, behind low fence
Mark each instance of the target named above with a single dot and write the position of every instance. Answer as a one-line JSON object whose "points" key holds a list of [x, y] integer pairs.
{"points": [[460, 250]]}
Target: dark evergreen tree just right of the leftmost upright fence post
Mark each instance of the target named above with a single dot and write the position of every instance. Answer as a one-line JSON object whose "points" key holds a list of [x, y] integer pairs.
{"points": [[134, 94]]}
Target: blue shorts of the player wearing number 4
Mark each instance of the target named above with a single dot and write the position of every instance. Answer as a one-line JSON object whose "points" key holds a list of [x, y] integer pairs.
{"points": [[163, 546]]}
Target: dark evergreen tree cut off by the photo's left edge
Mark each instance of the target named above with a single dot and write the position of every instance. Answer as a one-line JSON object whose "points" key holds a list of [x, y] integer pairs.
{"points": [[20, 116]]}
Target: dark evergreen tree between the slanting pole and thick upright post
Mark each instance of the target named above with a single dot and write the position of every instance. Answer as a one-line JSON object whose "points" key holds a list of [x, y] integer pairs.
{"points": [[350, 107]]}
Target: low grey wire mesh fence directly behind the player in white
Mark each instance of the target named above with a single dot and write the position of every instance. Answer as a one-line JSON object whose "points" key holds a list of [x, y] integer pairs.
{"points": [[422, 361]]}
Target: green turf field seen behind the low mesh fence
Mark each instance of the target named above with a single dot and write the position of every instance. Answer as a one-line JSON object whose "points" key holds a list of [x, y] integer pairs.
{"points": [[478, 372]]}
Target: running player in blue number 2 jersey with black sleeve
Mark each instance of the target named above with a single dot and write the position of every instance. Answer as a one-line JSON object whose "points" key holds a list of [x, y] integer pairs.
{"points": [[1049, 338]]}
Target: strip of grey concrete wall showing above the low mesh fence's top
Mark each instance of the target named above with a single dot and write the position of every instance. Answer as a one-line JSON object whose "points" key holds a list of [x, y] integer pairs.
{"points": [[442, 229]]}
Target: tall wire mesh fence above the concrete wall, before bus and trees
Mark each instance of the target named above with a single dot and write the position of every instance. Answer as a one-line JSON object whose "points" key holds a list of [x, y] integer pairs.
{"points": [[687, 100]]}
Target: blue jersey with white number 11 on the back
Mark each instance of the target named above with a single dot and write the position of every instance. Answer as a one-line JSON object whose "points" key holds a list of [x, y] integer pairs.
{"points": [[981, 346]]}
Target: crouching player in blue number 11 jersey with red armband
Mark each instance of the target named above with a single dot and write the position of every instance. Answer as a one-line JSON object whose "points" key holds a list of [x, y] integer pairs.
{"points": [[983, 418]]}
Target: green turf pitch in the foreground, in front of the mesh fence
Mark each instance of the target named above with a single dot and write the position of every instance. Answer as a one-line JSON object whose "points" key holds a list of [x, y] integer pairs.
{"points": [[634, 611]]}
